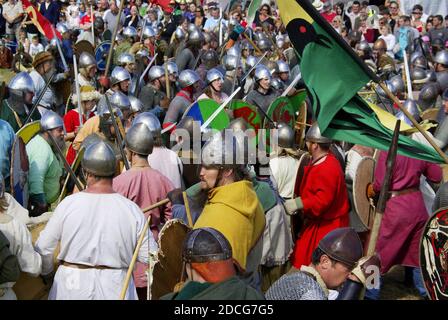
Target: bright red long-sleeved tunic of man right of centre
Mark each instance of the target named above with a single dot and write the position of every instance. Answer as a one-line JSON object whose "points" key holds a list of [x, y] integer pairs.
{"points": [[325, 206]]}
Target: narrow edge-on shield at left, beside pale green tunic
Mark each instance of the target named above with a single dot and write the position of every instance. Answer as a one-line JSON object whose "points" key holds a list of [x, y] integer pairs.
{"points": [[19, 172]]}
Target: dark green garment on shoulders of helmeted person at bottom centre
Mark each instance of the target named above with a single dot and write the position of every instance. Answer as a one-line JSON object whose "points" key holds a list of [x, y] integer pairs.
{"points": [[231, 289]]}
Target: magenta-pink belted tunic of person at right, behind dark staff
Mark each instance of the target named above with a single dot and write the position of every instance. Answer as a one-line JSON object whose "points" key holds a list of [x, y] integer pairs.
{"points": [[405, 215]]}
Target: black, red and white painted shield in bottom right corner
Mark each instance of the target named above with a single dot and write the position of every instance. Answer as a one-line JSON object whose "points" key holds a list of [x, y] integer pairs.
{"points": [[434, 255]]}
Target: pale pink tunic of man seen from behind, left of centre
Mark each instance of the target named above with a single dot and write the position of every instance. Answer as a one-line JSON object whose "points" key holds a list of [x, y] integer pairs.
{"points": [[145, 187]]}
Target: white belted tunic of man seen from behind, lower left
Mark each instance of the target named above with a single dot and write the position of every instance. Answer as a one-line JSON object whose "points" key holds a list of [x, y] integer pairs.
{"points": [[94, 230]]}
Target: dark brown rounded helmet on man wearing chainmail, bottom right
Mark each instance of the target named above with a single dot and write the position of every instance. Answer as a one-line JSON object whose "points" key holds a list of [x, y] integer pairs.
{"points": [[343, 245]]}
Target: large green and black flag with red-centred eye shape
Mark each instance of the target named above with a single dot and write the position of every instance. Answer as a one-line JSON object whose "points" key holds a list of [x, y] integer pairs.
{"points": [[333, 75]]}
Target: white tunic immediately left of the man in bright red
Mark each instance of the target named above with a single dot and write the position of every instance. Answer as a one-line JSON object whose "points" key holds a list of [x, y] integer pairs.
{"points": [[284, 169]]}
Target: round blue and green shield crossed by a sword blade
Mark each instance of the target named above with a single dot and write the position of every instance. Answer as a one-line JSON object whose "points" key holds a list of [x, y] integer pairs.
{"points": [[202, 110]]}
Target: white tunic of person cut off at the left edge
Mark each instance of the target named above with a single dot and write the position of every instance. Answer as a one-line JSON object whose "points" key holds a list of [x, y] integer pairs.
{"points": [[15, 230]]}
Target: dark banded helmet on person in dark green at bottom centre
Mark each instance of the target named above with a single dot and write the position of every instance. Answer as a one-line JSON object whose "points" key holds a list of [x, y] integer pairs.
{"points": [[206, 245]]}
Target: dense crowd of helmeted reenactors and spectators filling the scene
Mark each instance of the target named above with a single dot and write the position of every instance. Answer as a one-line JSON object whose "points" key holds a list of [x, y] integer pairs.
{"points": [[285, 229]]}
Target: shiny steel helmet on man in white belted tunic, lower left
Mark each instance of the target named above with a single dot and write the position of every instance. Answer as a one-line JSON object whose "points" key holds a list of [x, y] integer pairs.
{"points": [[99, 159]]}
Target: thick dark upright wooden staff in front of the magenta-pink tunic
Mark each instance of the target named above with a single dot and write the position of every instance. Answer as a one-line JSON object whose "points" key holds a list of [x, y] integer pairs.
{"points": [[384, 193]]}
